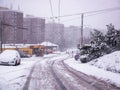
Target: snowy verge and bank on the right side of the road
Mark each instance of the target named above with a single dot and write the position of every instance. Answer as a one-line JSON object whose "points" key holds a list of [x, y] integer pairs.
{"points": [[105, 68]]}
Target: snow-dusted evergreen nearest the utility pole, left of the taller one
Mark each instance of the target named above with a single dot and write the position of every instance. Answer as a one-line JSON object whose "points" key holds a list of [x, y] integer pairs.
{"points": [[99, 46]]}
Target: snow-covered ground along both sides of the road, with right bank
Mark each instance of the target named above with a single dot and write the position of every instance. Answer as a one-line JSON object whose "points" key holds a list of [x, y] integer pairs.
{"points": [[106, 68]]}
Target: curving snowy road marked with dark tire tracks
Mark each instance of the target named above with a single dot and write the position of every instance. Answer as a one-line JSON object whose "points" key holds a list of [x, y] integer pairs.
{"points": [[51, 73]]}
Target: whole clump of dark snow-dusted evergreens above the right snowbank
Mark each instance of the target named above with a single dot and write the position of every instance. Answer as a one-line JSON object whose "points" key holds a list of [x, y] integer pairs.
{"points": [[104, 44]]}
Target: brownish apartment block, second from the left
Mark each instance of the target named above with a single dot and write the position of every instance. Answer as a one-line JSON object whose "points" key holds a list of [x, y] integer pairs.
{"points": [[35, 30]]}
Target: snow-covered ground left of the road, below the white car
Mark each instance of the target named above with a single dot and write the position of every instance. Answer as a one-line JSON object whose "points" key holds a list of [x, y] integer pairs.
{"points": [[14, 77]]}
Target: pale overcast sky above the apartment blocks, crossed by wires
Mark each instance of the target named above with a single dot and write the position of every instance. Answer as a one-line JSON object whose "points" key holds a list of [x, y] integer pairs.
{"points": [[41, 8]]}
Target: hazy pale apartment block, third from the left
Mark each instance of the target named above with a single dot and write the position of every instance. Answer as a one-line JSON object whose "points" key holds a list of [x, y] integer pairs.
{"points": [[54, 33]]}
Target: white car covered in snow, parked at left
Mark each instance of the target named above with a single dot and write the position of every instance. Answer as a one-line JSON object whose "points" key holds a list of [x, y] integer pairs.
{"points": [[10, 57]]}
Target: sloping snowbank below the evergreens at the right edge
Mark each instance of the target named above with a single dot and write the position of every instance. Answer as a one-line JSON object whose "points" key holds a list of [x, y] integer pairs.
{"points": [[110, 62]]}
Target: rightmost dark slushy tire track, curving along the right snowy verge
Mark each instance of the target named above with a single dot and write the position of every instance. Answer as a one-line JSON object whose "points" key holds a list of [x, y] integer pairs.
{"points": [[89, 80]]}
